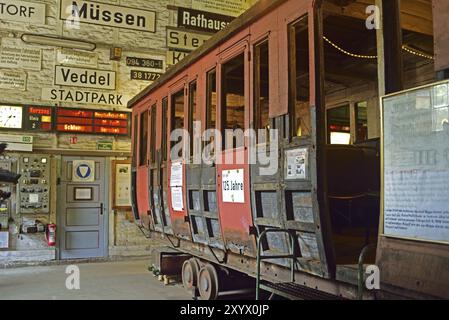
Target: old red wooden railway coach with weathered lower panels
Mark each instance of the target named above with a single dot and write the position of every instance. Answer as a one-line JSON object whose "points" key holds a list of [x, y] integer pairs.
{"points": [[259, 155]]}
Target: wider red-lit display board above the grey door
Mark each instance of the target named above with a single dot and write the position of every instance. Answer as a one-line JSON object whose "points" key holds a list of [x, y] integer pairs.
{"points": [[92, 121]]}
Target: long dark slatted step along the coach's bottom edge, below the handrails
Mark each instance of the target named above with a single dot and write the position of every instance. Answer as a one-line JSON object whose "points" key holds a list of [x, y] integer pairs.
{"points": [[294, 291]]}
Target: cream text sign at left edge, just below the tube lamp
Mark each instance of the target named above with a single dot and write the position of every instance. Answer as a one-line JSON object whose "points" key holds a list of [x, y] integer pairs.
{"points": [[13, 56]]}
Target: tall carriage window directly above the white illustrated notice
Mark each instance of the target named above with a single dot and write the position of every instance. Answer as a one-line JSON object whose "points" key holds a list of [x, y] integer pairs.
{"points": [[299, 78]]}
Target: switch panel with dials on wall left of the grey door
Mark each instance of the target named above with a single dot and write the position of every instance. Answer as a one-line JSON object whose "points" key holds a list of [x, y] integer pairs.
{"points": [[33, 190]]}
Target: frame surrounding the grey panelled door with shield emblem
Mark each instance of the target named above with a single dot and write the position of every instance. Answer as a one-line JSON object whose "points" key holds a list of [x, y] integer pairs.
{"points": [[107, 205]]}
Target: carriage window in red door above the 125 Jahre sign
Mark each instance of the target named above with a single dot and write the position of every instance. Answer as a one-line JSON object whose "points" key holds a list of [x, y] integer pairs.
{"points": [[233, 103]]}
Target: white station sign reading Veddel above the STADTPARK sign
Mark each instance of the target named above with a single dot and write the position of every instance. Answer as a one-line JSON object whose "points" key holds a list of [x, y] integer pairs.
{"points": [[89, 78]]}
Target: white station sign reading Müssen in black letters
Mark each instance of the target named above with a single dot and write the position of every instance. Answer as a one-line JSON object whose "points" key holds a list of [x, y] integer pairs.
{"points": [[91, 12]]}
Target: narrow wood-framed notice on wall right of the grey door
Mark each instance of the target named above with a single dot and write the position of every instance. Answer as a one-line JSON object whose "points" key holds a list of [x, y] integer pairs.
{"points": [[121, 182]]}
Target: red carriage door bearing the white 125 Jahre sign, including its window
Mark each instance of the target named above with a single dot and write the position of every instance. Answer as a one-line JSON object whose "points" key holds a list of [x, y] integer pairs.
{"points": [[233, 184]]}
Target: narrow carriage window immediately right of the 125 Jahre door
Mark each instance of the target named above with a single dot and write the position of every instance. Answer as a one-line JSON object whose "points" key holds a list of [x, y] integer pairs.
{"points": [[261, 88]]}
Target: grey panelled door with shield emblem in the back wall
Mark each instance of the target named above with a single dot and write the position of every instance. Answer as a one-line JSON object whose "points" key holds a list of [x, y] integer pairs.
{"points": [[83, 208]]}
